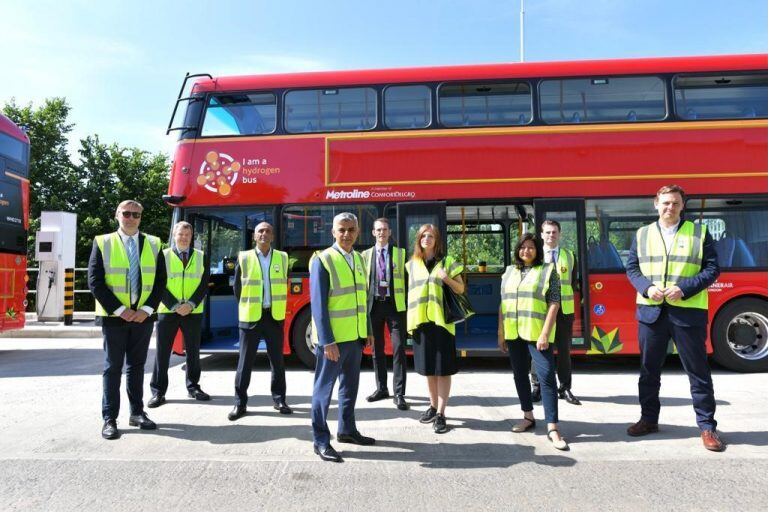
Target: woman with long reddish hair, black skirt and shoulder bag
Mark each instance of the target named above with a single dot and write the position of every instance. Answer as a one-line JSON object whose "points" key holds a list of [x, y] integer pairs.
{"points": [[434, 340]]}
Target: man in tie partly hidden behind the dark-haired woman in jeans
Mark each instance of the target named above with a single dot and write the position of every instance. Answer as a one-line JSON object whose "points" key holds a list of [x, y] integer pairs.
{"points": [[564, 262]]}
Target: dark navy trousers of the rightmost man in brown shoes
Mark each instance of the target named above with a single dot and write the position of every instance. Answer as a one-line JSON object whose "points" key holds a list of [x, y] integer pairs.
{"points": [[690, 341]]}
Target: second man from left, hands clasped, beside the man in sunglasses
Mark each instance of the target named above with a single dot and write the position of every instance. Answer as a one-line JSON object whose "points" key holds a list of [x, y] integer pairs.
{"points": [[180, 308]]}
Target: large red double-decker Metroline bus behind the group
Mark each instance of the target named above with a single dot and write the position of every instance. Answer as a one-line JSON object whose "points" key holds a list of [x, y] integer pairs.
{"points": [[487, 152]]}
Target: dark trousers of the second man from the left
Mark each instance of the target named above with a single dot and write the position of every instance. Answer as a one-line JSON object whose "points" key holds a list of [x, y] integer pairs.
{"points": [[167, 327]]}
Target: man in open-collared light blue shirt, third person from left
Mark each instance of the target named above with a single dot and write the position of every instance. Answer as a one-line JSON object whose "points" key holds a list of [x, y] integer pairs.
{"points": [[261, 288]]}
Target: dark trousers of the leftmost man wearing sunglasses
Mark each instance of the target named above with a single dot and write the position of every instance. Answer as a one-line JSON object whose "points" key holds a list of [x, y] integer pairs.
{"points": [[127, 342]]}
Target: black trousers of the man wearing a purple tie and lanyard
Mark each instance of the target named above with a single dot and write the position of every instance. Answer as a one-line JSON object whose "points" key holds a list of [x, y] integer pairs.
{"points": [[385, 312]]}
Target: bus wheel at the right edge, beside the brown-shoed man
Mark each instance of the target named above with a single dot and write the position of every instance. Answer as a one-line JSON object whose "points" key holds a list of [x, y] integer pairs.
{"points": [[740, 335]]}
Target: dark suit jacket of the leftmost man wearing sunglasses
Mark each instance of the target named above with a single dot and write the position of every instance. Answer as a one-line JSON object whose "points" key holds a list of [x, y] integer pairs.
{"points": [[98, 286]]}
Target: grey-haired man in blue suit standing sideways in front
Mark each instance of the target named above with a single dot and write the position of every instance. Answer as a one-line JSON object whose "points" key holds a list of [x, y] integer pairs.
{"points": [[341, 325]]}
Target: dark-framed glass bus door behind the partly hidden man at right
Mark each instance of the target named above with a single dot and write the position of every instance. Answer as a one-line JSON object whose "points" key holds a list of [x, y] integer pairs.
{"points": [[570, 214]]}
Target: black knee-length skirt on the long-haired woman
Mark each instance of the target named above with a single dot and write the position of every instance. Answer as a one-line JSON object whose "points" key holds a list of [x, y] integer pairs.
{"points": [[434, 351]]}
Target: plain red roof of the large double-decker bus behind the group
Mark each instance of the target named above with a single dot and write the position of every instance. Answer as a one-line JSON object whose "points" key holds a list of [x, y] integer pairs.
{"points": [[487, 71]]}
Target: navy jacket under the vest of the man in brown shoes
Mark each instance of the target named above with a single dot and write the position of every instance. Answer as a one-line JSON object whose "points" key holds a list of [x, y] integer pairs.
{"points": [[686, 317]]}
